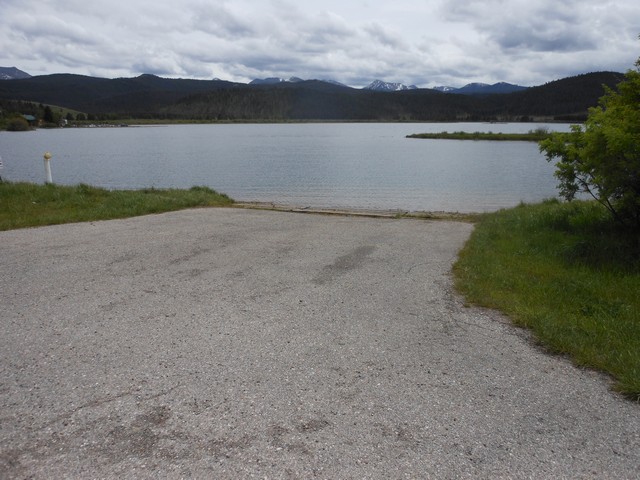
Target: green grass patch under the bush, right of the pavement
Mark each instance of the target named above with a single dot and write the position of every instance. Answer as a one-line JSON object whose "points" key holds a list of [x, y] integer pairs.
{"points": [[568, 273]]}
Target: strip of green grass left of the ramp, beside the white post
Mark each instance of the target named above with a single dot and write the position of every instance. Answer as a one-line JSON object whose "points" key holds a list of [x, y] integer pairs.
{"points": [[30, 205]]}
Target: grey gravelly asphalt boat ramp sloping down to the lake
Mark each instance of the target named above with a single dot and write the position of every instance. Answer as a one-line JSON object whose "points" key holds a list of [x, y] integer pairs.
{"points": [[230, 343]]}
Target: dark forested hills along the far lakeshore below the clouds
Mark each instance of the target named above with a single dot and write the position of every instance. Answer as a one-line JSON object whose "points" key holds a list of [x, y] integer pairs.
{"points": [[148, 96]]}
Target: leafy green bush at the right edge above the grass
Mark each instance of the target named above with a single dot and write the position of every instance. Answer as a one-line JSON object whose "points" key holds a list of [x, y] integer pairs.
{"points": [[602, 158]]}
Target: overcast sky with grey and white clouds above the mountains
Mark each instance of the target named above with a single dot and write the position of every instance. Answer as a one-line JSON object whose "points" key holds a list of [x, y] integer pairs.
{"points": [[421, 42]]}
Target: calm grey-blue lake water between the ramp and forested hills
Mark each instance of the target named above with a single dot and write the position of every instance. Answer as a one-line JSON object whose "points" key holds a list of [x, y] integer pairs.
{"points": [[355, 165]]}
